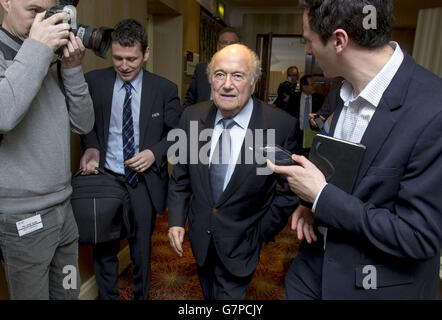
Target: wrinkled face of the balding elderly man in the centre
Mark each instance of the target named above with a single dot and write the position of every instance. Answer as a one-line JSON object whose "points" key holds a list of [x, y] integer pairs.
{"points": [[231, 80]]}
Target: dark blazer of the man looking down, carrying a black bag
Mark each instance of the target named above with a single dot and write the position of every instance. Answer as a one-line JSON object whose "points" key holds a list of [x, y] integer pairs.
{"points": [[160, 112]]}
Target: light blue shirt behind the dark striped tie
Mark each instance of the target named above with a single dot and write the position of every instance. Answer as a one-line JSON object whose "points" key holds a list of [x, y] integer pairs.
{"points": [[114, 154]]}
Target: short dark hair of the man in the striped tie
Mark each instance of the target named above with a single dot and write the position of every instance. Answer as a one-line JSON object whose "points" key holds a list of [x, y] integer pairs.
{"points": [[128, 31]]}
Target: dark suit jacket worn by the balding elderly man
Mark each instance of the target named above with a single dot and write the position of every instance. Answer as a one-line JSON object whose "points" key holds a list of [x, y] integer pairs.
{"points": [[251, 210]]}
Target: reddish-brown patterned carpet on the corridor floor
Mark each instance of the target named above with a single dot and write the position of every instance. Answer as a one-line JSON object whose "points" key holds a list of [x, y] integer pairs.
{"points": [[175, 278]]}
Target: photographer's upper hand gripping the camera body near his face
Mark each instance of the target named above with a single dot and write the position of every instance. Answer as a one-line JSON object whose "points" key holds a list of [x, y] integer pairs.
{"points": [[49, 32]]}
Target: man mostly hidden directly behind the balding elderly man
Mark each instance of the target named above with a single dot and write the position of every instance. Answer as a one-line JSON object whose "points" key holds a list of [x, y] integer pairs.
{"points": [[199, 89]]}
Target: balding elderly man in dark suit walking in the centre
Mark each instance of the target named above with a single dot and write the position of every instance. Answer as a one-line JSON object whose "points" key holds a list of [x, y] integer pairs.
{"points": [[234, 209]]}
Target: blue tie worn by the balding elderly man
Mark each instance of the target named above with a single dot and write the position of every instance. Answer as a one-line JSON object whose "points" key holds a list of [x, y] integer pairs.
{"points": [[220, 160]]}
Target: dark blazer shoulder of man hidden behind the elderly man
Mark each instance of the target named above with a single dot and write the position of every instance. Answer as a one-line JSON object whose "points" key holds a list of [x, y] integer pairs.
{"points": [[199, 89]]}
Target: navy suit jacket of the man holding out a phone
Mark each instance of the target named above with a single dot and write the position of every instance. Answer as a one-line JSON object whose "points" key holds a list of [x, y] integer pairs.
{"points": [[393, 218]]}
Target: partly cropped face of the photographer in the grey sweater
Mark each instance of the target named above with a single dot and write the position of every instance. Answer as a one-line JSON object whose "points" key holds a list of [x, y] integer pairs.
{"points": [[20, 14]]}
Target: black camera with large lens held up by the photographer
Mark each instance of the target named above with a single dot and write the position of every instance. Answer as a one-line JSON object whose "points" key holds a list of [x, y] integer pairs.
{"points": [[96, 39]]}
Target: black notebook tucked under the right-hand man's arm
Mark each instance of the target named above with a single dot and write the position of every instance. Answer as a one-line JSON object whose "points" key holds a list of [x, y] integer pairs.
{"points": [[338, 160]]}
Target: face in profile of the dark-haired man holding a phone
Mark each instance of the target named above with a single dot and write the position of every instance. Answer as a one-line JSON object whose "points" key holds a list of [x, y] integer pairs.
{"points": [[323, 53]]}
